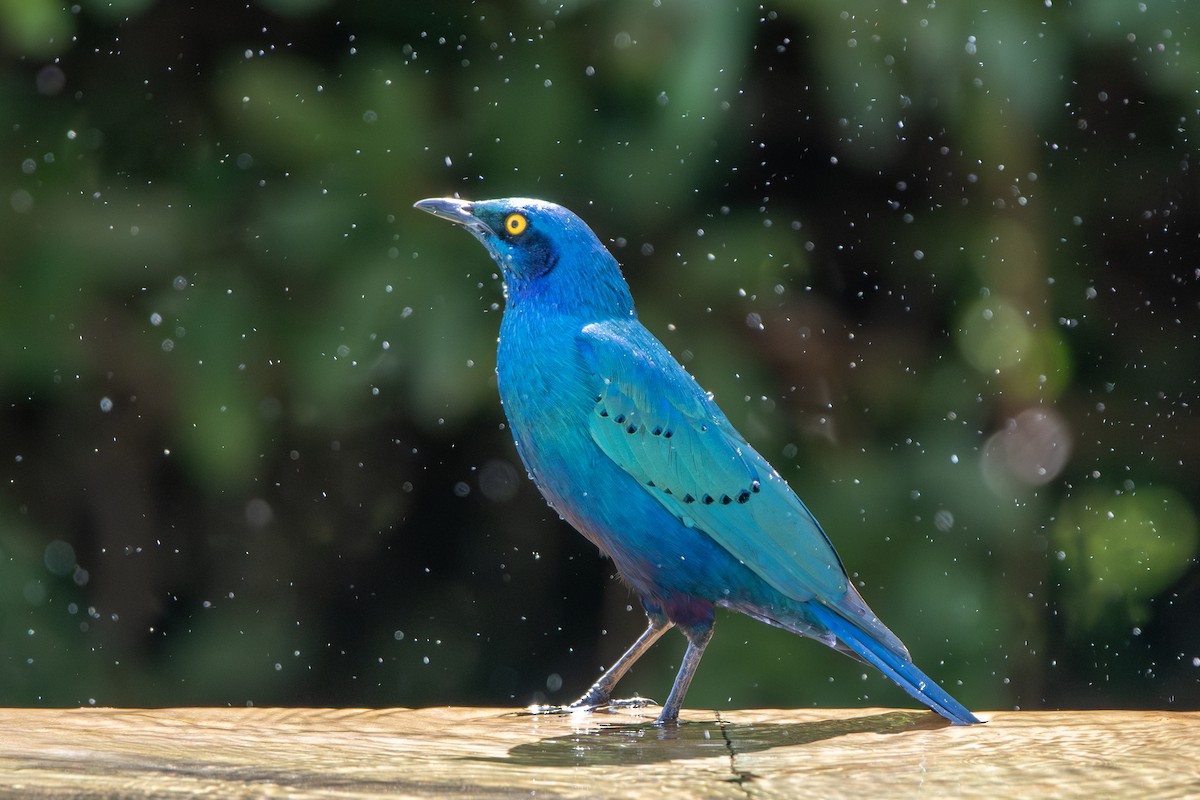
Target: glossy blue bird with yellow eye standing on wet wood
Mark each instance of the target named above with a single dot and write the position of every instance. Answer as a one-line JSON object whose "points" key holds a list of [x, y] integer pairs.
{"points": [[635, 455]]}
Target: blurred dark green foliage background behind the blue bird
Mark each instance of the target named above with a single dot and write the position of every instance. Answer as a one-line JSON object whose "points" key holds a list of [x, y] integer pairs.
{"points": [[939, 263]]}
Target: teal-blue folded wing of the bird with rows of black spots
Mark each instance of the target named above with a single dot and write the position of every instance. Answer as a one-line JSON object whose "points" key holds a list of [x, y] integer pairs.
{"points": [[653, 420]]}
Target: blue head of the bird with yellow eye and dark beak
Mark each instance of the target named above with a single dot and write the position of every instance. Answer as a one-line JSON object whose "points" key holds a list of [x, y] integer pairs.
{"points": [[542, 250]]}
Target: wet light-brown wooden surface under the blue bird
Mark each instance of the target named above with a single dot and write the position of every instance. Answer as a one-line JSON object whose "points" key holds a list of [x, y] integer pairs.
{"points": [[494, 753]]}
